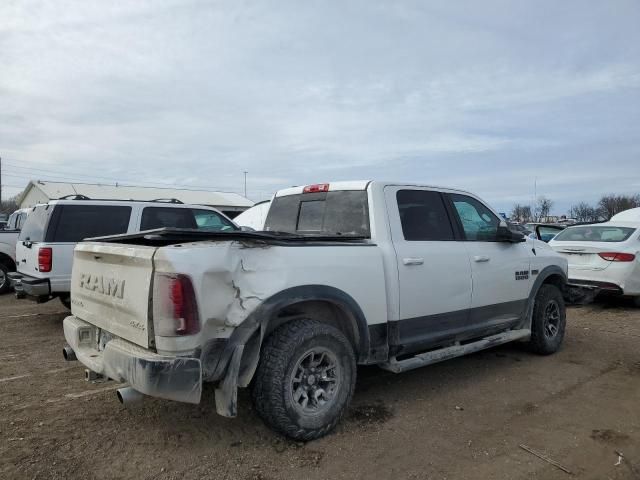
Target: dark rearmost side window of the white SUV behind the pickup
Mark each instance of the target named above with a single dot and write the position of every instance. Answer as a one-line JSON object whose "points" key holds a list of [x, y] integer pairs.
{"points": [[74, 223]]}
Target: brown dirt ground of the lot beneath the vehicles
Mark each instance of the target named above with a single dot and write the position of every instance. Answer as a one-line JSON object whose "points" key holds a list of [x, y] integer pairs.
{"points": [[463, 419]]}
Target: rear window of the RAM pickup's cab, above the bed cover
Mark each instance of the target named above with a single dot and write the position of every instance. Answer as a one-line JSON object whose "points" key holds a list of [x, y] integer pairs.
{"points": [[344, 213]]}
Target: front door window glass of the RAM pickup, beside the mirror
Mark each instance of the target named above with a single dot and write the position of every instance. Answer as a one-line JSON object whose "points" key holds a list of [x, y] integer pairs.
{"points": [[478, 222]]}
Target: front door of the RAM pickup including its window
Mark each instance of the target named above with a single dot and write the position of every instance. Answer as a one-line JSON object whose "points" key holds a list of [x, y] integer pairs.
{"points": [[500, 270]]}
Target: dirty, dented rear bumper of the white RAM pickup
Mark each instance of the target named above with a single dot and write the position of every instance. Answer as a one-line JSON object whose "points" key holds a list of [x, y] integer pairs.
{"points": [[168, 377]]}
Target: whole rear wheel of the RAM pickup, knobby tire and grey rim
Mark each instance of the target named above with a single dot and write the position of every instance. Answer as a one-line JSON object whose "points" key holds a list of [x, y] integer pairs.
{"points": [[305, 379]]}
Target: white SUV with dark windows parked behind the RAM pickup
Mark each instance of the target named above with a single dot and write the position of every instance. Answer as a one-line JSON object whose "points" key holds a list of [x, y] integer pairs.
{"points": [[44, 252]]}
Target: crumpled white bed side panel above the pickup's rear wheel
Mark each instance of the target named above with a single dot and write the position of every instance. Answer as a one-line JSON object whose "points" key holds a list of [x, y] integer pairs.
{"points": [[232, 279]]}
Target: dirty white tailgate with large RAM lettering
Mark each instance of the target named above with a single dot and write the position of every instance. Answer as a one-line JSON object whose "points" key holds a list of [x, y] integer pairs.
{"points": [[110, 288]]}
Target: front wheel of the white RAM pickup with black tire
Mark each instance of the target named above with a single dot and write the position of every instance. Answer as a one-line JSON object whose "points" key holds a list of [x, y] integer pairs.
{"points": [[544, 339]]}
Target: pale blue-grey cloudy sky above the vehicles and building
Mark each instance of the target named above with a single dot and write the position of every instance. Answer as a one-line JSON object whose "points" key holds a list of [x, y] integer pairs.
{"points": [[481, 95]]}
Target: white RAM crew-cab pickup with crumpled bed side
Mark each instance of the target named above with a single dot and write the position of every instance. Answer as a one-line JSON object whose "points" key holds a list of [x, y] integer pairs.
{"points": [[346, 273]]}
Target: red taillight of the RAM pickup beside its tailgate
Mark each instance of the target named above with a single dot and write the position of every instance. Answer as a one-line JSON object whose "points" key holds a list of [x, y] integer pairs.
{"points": [[175, 311]]}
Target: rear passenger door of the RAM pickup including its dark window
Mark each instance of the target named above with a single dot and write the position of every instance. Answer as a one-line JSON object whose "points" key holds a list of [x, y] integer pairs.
{"points": [[433, 269]]}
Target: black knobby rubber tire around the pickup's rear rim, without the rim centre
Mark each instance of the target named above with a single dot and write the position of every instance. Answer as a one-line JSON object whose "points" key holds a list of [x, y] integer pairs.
{"points": [[280, 357]]}
